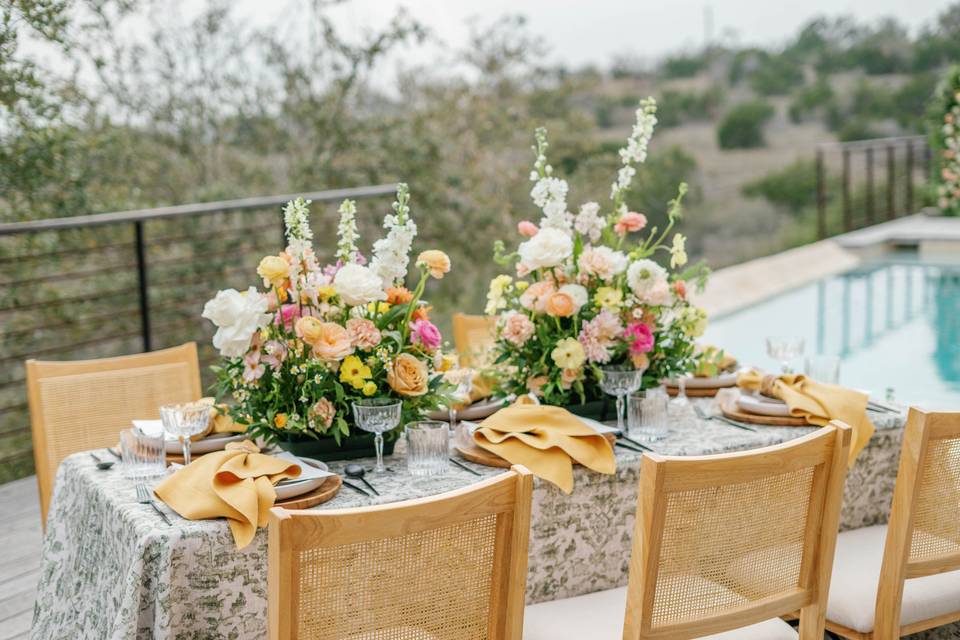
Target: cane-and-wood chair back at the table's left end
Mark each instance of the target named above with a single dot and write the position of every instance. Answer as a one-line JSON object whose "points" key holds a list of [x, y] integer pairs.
{"points": [[84, 404]]}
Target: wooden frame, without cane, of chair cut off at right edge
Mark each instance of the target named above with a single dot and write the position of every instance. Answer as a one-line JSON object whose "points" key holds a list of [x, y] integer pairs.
{"points": [[922, 428]]}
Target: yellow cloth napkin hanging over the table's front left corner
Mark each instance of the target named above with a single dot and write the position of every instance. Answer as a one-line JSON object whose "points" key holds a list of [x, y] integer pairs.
{"points": [[236, 484]]}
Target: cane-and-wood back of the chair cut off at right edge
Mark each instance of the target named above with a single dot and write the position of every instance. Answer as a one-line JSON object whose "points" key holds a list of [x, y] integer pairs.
{"points": [[923, 535]]}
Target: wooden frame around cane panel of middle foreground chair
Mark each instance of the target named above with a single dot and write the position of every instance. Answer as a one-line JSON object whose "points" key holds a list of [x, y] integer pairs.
{"points": [[825, 450]]}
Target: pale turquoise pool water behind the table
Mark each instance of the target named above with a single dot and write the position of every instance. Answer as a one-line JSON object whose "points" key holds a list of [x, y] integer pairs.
{"points": [[895, 323]]}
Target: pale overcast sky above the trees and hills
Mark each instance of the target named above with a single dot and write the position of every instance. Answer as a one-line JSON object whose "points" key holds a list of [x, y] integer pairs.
{"points": [[594, 31]]}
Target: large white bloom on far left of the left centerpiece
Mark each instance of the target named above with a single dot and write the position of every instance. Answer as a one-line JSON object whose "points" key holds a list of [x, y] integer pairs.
{"points": [[238, 316]]}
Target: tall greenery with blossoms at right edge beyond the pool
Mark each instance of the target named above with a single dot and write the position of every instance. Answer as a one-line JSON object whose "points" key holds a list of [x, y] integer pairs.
{"points": [[946, 142]]}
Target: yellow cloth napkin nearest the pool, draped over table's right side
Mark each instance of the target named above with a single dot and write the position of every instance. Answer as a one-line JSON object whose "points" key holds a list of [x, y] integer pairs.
{"points": [[817, 402]]}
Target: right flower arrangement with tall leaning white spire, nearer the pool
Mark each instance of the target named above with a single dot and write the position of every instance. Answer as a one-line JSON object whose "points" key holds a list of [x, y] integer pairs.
{"points": [[588, 291]]}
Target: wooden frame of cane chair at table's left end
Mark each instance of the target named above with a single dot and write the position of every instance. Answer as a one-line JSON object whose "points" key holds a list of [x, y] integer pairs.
{"points": [[38, 370]]}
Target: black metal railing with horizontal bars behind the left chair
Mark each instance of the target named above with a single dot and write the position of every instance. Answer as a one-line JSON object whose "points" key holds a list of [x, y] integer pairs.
{"points": [[107, 284]]}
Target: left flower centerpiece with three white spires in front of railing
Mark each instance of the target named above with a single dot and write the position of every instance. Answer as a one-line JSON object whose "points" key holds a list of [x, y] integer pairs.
{"points": [[317, 338]]}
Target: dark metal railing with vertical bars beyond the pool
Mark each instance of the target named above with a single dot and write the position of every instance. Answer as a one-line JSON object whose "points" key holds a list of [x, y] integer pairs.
{"points": [[851, 168]]}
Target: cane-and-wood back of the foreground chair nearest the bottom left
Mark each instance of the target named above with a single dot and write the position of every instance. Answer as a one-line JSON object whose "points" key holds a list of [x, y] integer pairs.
{"points": [[448, 567]]}
